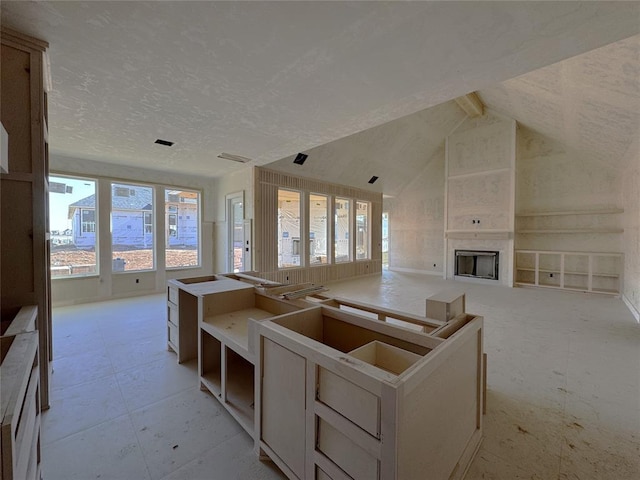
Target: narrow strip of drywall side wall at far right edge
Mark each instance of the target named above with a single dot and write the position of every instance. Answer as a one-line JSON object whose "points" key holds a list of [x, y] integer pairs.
{"points": [[631, 199]]}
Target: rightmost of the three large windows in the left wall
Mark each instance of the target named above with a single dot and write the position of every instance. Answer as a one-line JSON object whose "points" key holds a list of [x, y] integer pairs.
{"points": [[182, 223]]}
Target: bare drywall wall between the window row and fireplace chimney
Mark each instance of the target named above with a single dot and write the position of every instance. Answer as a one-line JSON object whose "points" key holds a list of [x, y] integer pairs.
{"points": [[416, 221]]}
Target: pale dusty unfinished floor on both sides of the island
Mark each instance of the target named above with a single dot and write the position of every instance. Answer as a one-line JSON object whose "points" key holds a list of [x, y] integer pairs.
{"points": [[563, 389]]}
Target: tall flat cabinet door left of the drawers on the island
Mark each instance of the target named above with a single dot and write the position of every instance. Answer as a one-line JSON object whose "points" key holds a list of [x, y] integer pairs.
{"points": [[283, 405]]}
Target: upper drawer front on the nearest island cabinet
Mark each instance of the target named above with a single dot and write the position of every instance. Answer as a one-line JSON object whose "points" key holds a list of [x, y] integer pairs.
{"points": [[349, 400]]}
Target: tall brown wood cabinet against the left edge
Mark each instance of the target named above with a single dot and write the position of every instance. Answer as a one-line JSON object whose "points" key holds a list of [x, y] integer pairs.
{"points": [[24, 215]]}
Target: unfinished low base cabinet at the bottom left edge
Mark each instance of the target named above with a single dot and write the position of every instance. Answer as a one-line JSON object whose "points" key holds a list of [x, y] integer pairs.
{"points": [[20, 398]]}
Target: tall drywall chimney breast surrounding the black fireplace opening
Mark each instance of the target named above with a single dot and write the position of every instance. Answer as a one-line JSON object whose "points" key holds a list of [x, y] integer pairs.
{"points": [[480, 198]]}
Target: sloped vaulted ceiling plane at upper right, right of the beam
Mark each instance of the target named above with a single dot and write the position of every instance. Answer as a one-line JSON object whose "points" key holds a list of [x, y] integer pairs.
{"points": [[590, 103]]}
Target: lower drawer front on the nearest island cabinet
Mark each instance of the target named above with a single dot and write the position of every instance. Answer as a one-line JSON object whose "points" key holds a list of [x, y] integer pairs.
{"points": [[346, 454]]}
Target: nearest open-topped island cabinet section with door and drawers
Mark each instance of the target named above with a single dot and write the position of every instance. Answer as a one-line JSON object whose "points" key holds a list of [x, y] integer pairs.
{"points": [[343, 396]]}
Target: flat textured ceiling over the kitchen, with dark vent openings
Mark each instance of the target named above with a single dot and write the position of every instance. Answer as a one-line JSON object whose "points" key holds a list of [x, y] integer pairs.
{"points": [[268, 79]]}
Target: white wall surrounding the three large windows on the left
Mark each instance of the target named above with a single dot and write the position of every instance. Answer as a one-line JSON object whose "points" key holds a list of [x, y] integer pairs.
{"points": [[109, 285]]}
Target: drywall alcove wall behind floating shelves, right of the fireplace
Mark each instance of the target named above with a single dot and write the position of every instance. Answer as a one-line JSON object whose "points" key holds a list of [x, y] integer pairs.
{"points": [[551, 178]]}
